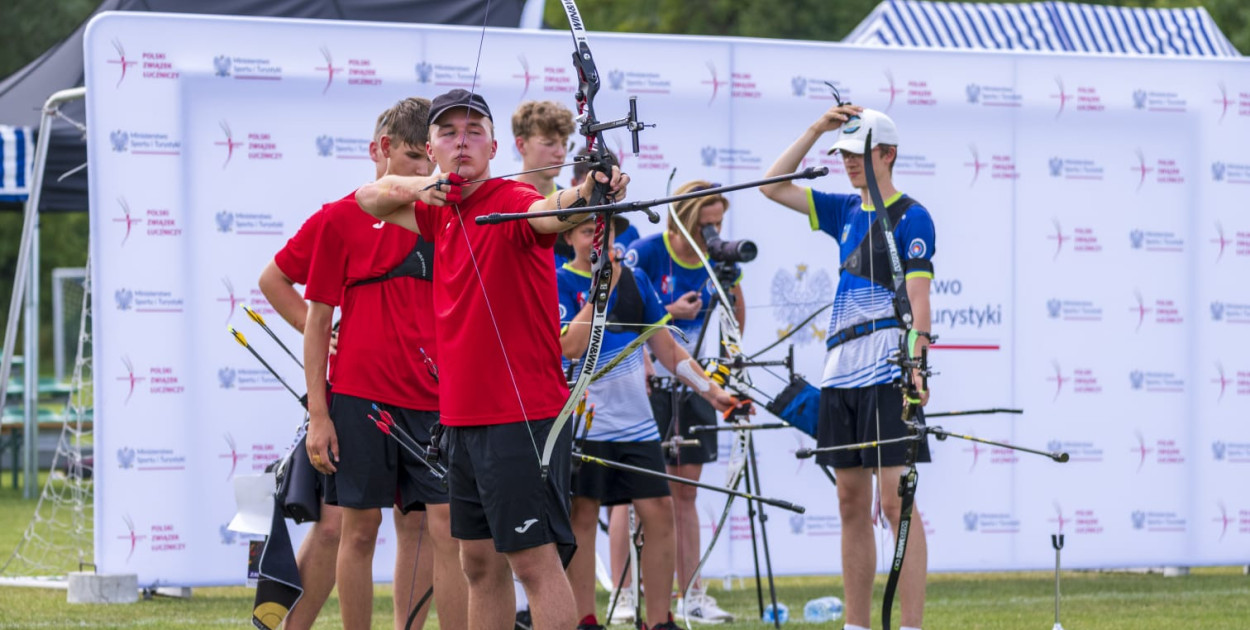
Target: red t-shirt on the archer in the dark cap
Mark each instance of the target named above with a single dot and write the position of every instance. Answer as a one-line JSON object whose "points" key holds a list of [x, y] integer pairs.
{"points": [[518, 288]]}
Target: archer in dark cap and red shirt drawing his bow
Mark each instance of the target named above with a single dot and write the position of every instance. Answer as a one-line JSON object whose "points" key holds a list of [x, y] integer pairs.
{"points": [[494, 287]]}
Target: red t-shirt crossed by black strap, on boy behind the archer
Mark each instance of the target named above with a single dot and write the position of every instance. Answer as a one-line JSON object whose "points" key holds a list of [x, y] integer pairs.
{"points": [[386, 324]]}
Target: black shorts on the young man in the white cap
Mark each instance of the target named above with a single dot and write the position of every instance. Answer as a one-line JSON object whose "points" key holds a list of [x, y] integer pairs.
{"points": [[851, 417]]}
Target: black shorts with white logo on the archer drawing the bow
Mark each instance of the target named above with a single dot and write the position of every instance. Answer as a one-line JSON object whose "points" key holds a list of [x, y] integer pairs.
{"points": [[498, 489]]}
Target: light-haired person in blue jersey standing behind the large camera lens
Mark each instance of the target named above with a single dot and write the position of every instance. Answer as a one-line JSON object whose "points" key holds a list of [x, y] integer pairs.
{"points": [[687, 293]]}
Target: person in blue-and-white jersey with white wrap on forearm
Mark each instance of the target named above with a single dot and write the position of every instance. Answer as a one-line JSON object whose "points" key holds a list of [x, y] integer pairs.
{"points": [[623, 429]]}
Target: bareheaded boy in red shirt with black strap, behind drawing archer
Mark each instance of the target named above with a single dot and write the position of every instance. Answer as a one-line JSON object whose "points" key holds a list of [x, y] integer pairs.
{"points": [[381, 278]]}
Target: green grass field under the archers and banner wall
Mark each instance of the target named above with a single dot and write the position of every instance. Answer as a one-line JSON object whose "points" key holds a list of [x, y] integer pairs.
{"points": [[1207, 599]]}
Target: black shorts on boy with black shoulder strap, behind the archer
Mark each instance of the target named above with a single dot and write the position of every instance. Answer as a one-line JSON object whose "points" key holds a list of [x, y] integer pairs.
{"points": [[374, 472]]}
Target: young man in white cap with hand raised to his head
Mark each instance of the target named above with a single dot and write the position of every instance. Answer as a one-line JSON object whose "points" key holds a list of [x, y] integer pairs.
{"points": [[859, 401]]}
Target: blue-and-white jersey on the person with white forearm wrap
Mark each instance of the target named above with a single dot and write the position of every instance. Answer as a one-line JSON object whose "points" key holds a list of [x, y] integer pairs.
{"points": [[623, 412]]}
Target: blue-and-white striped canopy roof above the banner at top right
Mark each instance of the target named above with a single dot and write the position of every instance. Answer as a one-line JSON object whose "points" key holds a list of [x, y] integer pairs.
{"points": [[1044, 27]]}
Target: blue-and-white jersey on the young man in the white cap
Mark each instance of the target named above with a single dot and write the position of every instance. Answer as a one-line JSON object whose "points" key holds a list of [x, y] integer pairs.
{"points": [[863, 362]]}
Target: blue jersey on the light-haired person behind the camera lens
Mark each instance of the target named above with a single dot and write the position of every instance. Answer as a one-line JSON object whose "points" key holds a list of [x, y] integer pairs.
{"points": [[653, 256]]}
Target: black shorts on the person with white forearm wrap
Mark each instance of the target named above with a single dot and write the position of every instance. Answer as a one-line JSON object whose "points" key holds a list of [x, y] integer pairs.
{"points": [[613, 487]]}
